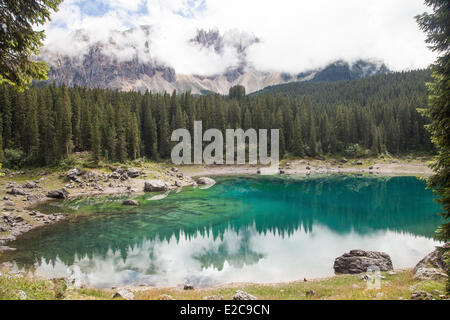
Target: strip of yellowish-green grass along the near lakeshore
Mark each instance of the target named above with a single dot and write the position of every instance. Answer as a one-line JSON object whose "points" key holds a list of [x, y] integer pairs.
{"points": [[394, 287]]}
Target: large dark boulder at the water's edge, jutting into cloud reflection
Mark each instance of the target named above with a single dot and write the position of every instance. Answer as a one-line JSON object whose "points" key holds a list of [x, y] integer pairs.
{"points": [[358, 261]]}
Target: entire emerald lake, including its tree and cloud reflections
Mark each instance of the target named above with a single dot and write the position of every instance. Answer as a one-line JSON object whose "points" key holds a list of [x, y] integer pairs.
{"points": [[254, 229]]}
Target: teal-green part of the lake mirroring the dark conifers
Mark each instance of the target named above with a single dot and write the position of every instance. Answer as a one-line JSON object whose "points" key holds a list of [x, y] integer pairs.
{"points": [[268, 205]]}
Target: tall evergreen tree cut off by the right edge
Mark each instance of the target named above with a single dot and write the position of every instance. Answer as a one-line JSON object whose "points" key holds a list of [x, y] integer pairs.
{"points": [[437, 27]]}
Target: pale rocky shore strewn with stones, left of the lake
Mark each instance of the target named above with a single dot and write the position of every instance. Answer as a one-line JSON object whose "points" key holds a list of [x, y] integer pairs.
{"points": [[17, 219]]}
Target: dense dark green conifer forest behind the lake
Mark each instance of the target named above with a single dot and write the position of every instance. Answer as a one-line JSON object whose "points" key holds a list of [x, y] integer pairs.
{"points": [[46, 124]]}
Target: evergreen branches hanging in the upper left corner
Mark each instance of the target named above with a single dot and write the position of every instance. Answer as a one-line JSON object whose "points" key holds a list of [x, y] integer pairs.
{"points": [[19, 41]]}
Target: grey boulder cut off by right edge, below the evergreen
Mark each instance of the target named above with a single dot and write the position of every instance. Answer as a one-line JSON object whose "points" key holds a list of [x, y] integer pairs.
{"points": [[433, 266]]}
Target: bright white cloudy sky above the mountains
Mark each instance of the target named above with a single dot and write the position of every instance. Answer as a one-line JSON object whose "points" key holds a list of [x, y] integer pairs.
{"points": [[296, 35]]}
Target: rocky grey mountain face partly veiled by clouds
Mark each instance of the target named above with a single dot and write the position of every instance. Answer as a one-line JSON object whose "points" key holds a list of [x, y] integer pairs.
{"points": [[118, 62]]}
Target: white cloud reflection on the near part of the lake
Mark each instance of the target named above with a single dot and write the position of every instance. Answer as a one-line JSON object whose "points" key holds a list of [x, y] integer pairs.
{"points": [[280, 258]]}
